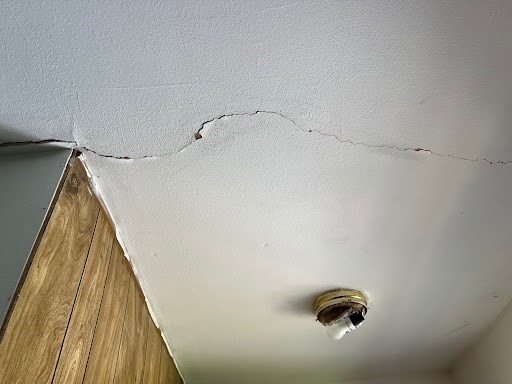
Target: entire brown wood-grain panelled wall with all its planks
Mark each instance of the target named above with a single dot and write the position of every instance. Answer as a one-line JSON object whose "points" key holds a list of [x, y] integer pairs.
{"points": [[81, 315]]}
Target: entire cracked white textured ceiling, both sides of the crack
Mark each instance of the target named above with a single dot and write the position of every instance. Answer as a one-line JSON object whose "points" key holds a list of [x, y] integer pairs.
{"points": [[362, 144]]}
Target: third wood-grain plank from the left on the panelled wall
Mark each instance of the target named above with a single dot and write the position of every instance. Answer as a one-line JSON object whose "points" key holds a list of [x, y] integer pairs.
{"points": [[101, 366]]}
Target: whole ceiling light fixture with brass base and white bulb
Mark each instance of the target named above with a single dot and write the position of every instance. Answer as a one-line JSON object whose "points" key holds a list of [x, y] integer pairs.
{"points": [[340, 311]]}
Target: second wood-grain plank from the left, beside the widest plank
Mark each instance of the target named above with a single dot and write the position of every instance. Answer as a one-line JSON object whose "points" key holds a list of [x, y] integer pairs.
{"points": [[79, 335]]}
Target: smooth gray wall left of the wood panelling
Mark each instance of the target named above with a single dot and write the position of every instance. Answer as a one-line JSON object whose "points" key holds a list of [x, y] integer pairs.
{"points": [[29, 177]]}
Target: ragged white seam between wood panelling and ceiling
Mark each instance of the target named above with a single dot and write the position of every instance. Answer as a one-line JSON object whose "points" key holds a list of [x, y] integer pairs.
{"points": [[96, 191]]}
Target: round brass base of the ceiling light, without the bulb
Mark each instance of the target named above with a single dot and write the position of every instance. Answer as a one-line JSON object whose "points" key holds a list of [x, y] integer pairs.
{"points": [[332, 306]]}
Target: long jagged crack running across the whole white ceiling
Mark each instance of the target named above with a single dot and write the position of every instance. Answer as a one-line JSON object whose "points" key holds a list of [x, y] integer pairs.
{"points": [[198, 135]]}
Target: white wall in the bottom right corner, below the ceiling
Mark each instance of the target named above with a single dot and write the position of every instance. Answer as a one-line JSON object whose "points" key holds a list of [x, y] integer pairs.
{"points": [[488, 360]]}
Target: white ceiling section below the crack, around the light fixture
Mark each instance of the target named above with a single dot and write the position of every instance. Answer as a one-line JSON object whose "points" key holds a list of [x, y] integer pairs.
{"points": [[234, 235]]}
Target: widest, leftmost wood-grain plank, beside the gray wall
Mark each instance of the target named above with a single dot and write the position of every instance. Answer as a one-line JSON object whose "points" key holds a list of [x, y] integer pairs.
{"points": [[34, 335]]}
